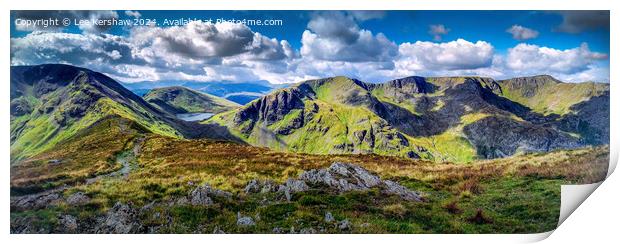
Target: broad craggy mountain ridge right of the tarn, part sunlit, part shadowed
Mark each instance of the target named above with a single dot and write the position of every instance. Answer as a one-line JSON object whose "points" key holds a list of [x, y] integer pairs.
{"points": [[444, 118]]}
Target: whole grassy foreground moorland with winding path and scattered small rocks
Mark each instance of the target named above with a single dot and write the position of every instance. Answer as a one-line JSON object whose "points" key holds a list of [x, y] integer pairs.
{"points": [[129, 182]]}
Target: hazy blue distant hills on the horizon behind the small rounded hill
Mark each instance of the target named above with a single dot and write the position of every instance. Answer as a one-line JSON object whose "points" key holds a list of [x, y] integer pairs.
{"points": [[239, 92]]}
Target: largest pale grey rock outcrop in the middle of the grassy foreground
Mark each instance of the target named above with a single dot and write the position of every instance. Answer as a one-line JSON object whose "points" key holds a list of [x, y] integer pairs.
{"points": [[342, 177]]}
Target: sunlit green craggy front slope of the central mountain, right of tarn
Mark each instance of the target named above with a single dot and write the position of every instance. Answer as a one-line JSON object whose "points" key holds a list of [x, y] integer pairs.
{"points": [[311, 118]]}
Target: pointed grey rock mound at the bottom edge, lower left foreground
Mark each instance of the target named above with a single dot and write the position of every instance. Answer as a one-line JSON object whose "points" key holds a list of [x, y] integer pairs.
{"points": [[120, 219]]}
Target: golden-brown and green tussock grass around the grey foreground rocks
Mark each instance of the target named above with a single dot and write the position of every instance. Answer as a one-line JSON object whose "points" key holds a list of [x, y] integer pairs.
{"points": [[519, 194]]}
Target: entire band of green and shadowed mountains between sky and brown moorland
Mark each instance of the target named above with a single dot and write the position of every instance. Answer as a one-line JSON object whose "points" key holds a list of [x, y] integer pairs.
{"points": [[456, 119]]}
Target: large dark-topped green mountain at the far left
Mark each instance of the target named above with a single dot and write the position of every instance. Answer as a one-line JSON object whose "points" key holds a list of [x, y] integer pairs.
{"points": [[52, 103]]}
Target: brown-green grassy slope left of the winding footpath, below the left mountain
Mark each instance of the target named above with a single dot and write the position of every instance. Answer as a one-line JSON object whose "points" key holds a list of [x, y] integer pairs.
{"points": [[92, 151]]}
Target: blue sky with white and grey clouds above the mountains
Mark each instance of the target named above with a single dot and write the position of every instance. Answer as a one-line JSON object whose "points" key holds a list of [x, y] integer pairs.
{"points": [[369, 45]]}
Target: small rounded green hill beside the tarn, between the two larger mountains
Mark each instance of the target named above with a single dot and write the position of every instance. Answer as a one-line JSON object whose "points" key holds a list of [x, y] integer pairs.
{"points": [[178, 99]]}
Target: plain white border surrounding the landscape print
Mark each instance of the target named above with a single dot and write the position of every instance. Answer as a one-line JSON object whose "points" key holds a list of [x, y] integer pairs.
{"points": [[310, 5]]}
